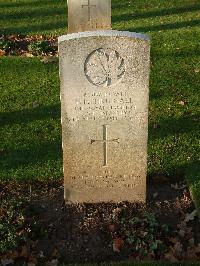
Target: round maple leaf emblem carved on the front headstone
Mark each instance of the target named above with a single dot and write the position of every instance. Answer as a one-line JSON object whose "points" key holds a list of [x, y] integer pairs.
{"points": [[104, 67]]}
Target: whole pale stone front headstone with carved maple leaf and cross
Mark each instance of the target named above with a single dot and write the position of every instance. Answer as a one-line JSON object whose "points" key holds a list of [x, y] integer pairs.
{"points": [[104, 96]]}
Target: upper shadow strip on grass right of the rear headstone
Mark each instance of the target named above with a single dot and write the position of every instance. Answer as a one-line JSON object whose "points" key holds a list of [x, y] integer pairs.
{"points": [[154, 13]]}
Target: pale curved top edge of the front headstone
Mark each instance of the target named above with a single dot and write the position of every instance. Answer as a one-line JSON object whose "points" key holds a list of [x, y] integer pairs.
{"points": [[103, 33]]}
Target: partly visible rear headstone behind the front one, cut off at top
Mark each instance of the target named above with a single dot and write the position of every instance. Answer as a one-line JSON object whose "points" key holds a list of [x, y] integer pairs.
{"points": [[89, 15]]}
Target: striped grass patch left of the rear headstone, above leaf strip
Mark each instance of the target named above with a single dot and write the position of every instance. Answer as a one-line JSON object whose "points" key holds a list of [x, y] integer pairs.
{"points": [[33, 17]]}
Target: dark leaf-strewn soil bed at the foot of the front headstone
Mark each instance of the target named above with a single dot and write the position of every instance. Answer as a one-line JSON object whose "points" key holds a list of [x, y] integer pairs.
{"points": [[102, 232]]}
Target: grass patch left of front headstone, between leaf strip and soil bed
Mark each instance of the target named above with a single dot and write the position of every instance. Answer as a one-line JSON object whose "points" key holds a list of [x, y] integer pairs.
{"points": [[31, 138]]}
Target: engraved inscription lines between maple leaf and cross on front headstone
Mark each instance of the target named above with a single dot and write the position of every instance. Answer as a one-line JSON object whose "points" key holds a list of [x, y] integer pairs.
{"points": [[104, 105]]}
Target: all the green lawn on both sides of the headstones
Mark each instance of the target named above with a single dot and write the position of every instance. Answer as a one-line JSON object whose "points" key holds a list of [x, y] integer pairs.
{"points": [[31, 146]]}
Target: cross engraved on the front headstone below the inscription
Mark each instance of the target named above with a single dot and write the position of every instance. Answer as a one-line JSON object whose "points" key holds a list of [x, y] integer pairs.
{"points": [[105, 142]]}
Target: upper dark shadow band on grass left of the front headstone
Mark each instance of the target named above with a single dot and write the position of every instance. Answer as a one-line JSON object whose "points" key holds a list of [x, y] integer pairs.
{"points": [[29, 115]]}
